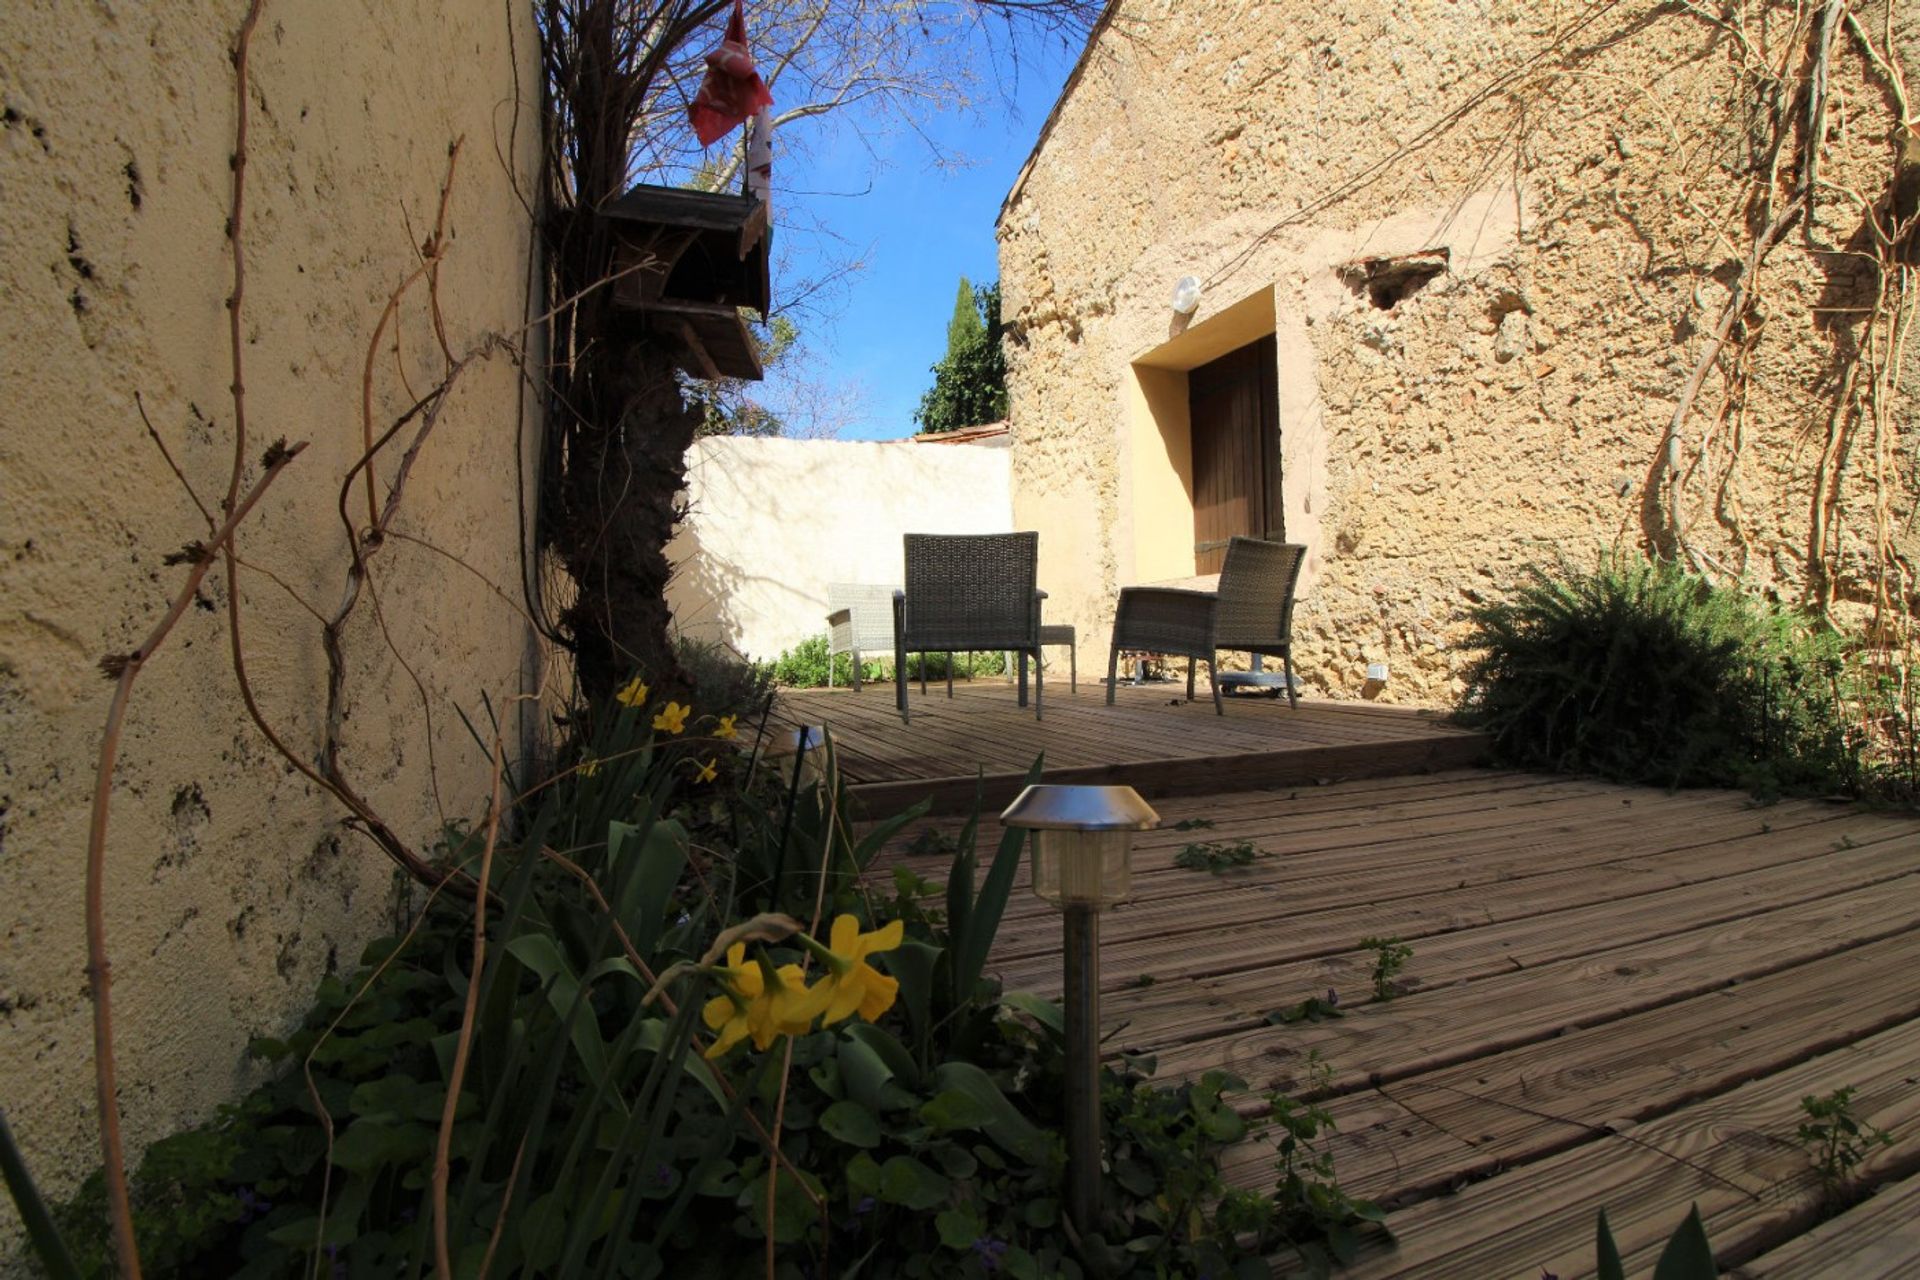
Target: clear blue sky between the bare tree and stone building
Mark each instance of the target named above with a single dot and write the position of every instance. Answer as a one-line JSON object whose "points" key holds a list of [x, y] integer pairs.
{"points": [[915, 224]]}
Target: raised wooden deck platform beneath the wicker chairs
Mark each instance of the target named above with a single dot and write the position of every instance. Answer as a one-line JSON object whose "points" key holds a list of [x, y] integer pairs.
{"points": [[1151, 740]]}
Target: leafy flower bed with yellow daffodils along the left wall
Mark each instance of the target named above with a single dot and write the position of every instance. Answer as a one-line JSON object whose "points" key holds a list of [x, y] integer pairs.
{"points": [[688, 1039]]}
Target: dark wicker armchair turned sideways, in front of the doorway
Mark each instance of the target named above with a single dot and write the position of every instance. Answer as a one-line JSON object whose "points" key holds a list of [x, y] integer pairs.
{"points": [[1251, 613]]}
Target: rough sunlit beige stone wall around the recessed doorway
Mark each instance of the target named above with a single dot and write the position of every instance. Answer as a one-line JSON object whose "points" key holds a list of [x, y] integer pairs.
{"points": [[1506, 414]]}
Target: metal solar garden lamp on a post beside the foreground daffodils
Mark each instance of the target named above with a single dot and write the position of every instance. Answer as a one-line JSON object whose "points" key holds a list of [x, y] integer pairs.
{"points": [[1082, 863]]}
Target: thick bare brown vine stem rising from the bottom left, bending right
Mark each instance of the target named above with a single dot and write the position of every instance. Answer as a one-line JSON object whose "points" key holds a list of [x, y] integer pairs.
{"points": [[126, 669]]}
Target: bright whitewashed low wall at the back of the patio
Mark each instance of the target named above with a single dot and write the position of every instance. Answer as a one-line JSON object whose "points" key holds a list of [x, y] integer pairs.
{"points": [[775, 521]]}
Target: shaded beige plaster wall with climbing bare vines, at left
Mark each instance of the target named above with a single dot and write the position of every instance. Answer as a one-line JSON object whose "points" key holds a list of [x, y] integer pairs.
{"points": [[233, 886]]}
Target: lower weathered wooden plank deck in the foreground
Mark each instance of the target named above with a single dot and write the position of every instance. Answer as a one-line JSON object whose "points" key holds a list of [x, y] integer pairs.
{"points": [[1618, 1001]]}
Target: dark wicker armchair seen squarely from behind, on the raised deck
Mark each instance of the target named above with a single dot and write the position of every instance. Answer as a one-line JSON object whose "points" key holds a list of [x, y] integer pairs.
{"points": [[965, 594]]}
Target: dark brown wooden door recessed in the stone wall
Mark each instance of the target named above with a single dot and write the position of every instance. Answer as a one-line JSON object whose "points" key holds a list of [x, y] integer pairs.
{"points": [[1234, 406]]}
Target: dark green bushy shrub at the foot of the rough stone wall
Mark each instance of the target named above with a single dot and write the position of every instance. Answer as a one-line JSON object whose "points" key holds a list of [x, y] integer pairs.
{"points": [[1650, 675]]}
